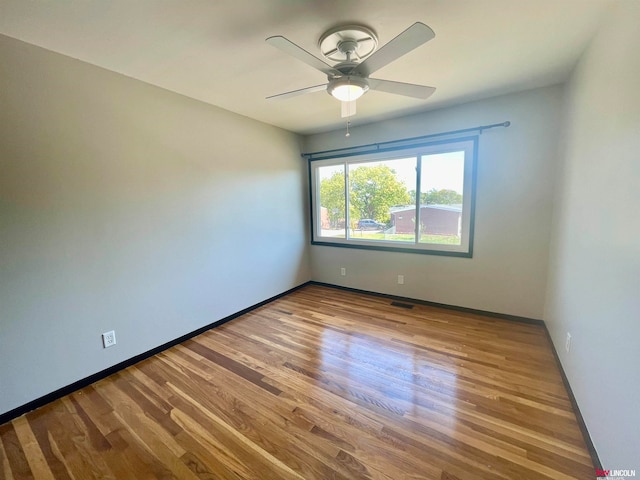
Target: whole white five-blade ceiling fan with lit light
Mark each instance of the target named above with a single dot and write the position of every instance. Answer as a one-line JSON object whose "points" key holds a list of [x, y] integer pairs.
{"points": [[354, 47]]}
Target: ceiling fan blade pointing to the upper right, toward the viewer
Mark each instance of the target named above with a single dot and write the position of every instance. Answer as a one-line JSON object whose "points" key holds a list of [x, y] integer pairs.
{"points": [[414, 36]]}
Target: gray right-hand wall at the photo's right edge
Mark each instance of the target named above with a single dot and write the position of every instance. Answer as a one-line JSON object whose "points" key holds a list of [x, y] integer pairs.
{"points": [[594, 271]]}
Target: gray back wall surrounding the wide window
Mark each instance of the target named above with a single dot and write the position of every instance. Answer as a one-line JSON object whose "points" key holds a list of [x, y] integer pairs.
{"points": [[516, 165]]}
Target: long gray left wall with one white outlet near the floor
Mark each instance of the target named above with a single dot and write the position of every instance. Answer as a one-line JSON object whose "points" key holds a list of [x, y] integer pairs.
{"points": [[127, 207]]}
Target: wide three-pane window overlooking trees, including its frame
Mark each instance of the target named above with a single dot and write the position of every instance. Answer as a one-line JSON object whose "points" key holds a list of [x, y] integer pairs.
{"points": [[416, 199]]}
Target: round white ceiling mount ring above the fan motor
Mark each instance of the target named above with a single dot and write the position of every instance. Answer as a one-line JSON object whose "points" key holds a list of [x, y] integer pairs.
{"points": [[348, 43]]}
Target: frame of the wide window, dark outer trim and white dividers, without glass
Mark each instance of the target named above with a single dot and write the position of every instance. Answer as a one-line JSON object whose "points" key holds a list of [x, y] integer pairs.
{"points": [[465, 249]]}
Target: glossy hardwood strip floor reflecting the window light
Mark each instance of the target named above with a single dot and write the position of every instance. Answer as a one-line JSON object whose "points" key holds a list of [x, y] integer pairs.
{"points": [[319, 384]]}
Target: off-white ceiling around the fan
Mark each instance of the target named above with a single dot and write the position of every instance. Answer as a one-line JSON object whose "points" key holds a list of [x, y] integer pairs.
{"points": [[214, 50]]}
